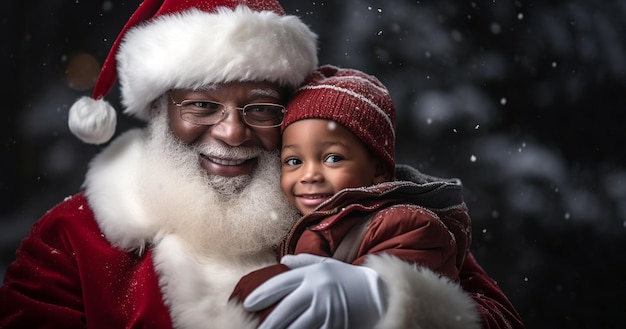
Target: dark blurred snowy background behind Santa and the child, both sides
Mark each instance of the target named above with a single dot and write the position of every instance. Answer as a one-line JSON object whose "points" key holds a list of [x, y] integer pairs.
{"points": [[522, 100]]}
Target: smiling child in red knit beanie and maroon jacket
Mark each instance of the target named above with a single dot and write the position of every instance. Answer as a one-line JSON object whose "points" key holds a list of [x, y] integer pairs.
{"points": [[338, 170]]}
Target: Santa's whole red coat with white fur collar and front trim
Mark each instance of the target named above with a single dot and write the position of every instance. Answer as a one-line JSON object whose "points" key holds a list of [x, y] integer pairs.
{"points": [[97, 262]]}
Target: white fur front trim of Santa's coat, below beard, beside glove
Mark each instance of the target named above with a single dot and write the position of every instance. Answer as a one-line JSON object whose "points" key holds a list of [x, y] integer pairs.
{"points": [[197, 290]]}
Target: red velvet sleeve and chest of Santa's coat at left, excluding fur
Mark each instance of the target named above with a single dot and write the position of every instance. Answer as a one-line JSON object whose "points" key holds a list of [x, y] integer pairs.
{"points": [[68, 275]]}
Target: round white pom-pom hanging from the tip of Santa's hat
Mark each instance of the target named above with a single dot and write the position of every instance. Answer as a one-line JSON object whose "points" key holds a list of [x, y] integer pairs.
{"points": [[92, 121]]}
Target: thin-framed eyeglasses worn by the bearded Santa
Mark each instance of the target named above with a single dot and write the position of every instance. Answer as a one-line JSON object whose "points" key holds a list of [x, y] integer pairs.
{"points": [[202, 112]]}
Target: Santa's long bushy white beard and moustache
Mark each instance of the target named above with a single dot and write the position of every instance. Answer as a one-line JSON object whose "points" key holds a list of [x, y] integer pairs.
{"points": [[216, 216]]}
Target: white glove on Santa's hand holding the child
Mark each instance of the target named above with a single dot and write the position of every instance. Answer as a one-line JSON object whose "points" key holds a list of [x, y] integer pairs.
{"points": [[321, 292]]}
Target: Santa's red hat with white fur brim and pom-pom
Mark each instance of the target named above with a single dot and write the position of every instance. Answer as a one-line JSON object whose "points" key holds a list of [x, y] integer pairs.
{"points": [[170, 44]]}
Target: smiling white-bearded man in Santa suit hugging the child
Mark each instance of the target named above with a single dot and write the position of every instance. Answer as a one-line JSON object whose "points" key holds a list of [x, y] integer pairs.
{"points": [[173, 214]]}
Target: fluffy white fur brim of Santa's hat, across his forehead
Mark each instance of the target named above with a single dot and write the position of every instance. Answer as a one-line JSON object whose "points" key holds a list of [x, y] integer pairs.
{"points": [[193, 48]]}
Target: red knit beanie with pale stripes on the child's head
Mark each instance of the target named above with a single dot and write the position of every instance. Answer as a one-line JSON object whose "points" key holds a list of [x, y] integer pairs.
{"points": [[356, 100]]}
